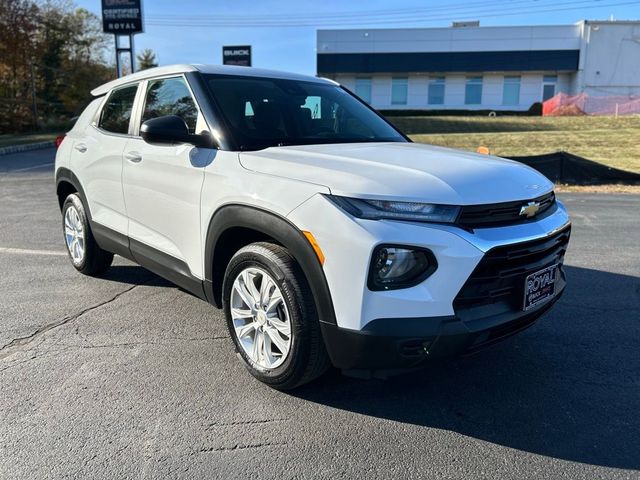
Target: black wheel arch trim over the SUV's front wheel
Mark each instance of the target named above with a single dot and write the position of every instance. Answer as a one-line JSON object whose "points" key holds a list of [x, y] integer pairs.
{"points": [[278, 228]]}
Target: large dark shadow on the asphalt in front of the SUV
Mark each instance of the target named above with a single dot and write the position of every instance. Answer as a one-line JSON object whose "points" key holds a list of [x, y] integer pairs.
{"points": [[567, 388]]}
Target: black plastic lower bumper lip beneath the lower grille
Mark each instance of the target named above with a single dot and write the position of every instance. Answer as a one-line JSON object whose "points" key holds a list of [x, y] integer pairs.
{"points": [[404, 343]]}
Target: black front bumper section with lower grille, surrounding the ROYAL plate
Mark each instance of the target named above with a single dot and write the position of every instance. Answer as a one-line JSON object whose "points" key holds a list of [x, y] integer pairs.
{"points": [[488, 308]]}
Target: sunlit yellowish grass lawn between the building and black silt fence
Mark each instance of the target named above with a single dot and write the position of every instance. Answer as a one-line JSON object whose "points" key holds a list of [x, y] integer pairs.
{"points": [[612, 141]]}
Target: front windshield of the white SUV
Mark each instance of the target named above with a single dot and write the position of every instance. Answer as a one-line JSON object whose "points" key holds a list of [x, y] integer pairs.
{"points": [[268, 112]]}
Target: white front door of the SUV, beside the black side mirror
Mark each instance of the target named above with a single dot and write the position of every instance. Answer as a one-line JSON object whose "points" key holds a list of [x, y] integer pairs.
{"points": [[162, 183]]}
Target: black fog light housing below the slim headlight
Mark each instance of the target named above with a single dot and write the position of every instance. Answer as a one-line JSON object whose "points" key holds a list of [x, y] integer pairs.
{"points": [[393, 267]]}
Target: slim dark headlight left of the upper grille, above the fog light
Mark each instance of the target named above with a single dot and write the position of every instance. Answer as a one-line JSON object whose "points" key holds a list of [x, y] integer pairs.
{"points": [[392, 210]]}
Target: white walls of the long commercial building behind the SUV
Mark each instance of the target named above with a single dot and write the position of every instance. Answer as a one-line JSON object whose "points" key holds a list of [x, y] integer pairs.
{"points": [[609, 60]]}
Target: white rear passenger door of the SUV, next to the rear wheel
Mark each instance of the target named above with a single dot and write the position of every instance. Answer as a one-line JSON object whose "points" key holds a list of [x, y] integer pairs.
{"points": [[96, 158]]}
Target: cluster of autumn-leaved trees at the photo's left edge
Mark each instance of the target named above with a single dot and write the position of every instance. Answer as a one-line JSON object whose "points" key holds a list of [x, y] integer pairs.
{"points": [[53, 51]]}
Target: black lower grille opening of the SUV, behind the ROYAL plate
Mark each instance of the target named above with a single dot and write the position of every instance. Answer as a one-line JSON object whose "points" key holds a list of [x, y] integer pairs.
{"points": [[496, 286]]}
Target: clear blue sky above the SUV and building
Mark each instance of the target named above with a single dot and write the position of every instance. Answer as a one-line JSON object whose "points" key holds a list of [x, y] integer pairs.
{"points": [[293, 48]]}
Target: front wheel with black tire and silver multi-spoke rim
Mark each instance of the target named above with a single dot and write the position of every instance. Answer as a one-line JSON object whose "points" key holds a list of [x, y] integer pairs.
{"points": [[306, 357]]}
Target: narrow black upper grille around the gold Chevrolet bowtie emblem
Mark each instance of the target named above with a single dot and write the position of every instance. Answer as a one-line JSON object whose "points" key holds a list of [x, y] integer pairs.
{"points": [[478, 216]]}
